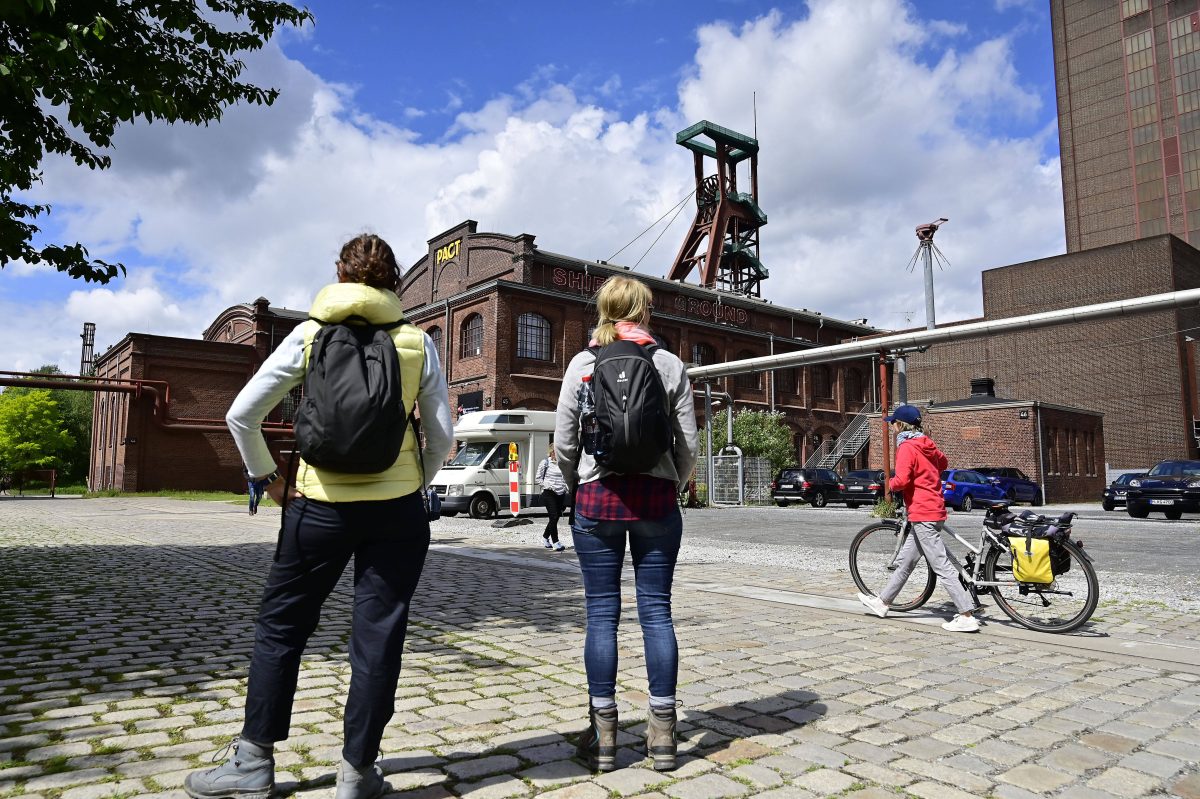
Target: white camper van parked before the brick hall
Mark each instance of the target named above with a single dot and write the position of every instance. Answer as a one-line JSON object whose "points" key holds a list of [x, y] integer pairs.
{"points": [[477, 479]]}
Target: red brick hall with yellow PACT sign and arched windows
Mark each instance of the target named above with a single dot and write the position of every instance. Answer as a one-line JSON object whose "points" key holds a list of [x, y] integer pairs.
{"points": [[508, 317]]}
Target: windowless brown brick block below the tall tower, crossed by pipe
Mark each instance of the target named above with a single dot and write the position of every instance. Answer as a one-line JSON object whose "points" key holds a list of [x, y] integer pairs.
{"points": [[1136, 371]]}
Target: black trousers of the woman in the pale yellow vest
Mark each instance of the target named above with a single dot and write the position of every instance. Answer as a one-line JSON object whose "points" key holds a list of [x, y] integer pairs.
{"points": [[388, 540]]}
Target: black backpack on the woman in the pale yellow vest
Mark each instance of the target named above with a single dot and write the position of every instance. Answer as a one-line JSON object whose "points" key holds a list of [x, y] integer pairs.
{"points": [[352, 418]]}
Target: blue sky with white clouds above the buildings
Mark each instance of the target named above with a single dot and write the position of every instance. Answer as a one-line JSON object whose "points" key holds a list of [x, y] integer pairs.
{"points": [[559, 119]]}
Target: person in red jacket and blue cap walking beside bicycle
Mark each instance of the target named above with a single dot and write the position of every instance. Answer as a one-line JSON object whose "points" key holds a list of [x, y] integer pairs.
{"points": [[919, 477]]}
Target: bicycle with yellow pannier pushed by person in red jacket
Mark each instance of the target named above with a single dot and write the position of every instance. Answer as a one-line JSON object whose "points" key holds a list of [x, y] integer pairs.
{"points": [[1060, 606]]}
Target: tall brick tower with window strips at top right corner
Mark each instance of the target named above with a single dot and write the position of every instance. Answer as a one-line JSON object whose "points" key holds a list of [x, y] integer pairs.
{"points": [[1127, 124]]}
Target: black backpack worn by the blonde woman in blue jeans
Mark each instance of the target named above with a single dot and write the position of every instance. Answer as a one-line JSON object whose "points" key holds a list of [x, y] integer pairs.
{"points": [[634, 428]]}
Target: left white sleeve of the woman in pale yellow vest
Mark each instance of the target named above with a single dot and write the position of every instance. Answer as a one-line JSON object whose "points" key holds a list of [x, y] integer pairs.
{"points": [[281, 373]]}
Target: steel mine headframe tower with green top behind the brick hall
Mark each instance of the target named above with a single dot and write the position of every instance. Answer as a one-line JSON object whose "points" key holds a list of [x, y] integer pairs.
{"points": [[723, 242]]}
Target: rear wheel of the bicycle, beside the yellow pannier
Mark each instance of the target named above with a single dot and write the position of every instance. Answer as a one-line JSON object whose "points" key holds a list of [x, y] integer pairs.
{"points": [[1063, 606]]}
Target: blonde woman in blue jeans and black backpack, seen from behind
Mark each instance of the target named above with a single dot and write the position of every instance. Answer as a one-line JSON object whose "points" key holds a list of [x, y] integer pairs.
{"points": [[627, 488]]}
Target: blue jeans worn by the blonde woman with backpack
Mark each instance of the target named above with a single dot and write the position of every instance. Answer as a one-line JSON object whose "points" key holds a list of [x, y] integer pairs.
{"points": [[601, 548]]}
